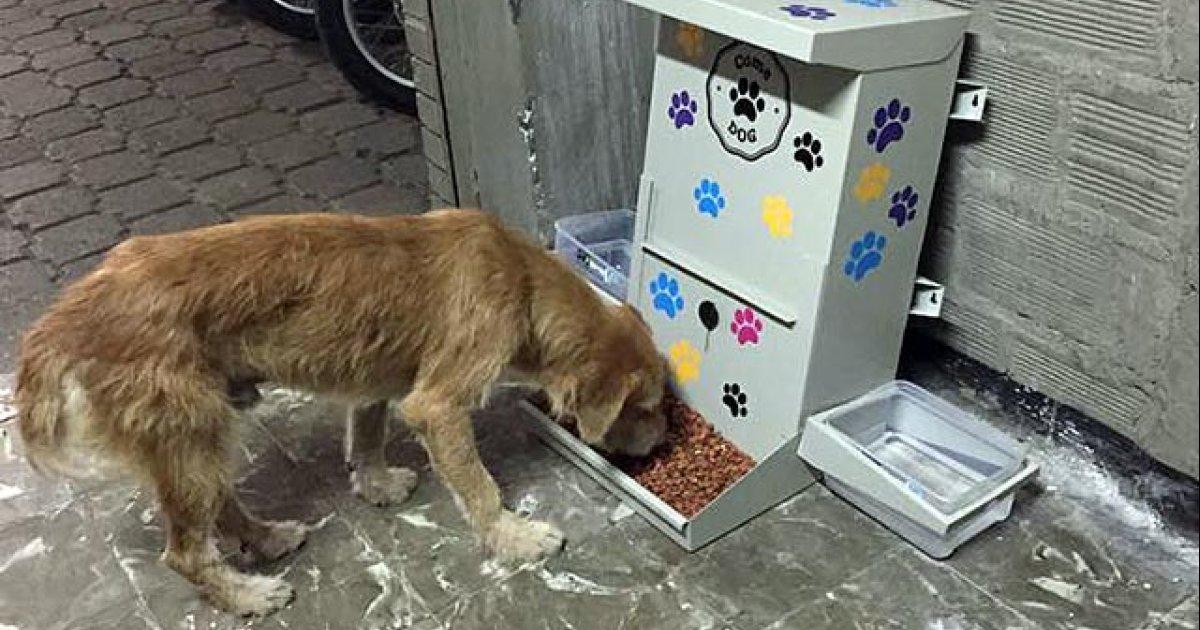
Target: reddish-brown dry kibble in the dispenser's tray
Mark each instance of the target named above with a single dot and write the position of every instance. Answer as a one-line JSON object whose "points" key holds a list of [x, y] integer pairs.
{"points": [[695, 465]]}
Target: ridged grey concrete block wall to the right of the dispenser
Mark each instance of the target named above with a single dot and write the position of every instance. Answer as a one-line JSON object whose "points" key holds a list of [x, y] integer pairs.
{"points": [[1066, 226]]}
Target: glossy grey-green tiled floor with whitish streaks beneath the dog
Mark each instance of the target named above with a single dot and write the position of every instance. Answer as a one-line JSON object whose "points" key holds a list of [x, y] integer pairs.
{"points": [[85, 555]]}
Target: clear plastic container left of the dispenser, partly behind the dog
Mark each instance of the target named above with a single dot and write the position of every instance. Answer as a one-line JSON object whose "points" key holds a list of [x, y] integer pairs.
{"points": [[599, 247]]}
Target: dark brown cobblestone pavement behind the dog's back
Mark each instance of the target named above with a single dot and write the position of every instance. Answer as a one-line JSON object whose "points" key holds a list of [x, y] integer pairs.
{"points": [[134, 117]]}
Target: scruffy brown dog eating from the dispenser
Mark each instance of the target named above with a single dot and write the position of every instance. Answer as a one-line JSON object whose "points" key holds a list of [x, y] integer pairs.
{"points": [[145, 359]]}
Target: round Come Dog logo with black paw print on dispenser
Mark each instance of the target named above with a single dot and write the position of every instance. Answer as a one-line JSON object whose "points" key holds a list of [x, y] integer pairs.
{"points": [[749, 103]]}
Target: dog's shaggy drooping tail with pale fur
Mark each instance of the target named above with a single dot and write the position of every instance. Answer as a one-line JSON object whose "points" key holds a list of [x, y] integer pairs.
{"points": [[52, 413]]}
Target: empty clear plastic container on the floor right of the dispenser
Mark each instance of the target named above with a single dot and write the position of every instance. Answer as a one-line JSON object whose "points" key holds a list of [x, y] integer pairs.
{"points": [[921, 466]]}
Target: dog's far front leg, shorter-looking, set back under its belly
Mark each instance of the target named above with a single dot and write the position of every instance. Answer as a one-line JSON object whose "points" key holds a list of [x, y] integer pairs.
{"points": [[367, 440]]}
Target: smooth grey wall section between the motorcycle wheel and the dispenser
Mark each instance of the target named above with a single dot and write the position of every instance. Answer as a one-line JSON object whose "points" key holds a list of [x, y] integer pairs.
{"points": [[547, 105]]}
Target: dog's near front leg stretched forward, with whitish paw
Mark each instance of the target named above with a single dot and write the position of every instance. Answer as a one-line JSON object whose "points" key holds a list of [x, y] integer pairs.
{"points": [[446, 430]]}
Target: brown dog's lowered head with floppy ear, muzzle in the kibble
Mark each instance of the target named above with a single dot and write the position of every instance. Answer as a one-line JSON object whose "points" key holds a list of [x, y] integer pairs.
{"points": [[616, 394]]}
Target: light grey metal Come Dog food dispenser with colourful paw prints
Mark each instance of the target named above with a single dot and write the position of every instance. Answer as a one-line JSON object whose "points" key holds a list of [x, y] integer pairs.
{"points": [[791, 155]]}
